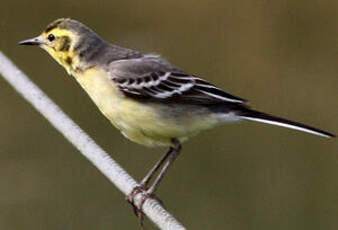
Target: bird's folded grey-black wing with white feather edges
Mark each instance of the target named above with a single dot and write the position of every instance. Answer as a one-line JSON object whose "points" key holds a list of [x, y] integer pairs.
{"points": [[154, 79]]}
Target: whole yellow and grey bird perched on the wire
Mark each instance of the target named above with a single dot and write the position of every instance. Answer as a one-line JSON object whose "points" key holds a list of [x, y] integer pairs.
{"points": [[151, 101]]}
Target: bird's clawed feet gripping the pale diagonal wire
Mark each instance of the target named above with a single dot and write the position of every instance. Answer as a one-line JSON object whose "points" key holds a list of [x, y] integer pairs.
{"points": [[138, 208]]}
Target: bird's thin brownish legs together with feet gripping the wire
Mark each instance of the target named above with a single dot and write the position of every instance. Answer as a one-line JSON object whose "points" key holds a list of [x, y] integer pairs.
{"points": [[173, 152]]}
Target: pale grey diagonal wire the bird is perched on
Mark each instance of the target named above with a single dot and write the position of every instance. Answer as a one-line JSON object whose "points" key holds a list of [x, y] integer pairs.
{"points": [[85, 144]]}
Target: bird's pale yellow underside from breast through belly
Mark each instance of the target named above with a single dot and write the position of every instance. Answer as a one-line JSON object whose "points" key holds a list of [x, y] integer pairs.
{"points": [[140, 122]]}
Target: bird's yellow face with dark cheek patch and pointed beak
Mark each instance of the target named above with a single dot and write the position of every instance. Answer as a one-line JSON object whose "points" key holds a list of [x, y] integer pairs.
{"points": [[59, 43]]}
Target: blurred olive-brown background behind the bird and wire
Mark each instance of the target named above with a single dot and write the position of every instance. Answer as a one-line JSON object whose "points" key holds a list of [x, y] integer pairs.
{"points": [[281, 55]]}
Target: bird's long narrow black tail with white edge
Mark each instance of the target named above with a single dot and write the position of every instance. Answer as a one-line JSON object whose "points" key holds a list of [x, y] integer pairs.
{"points": [[253, 115]]}
